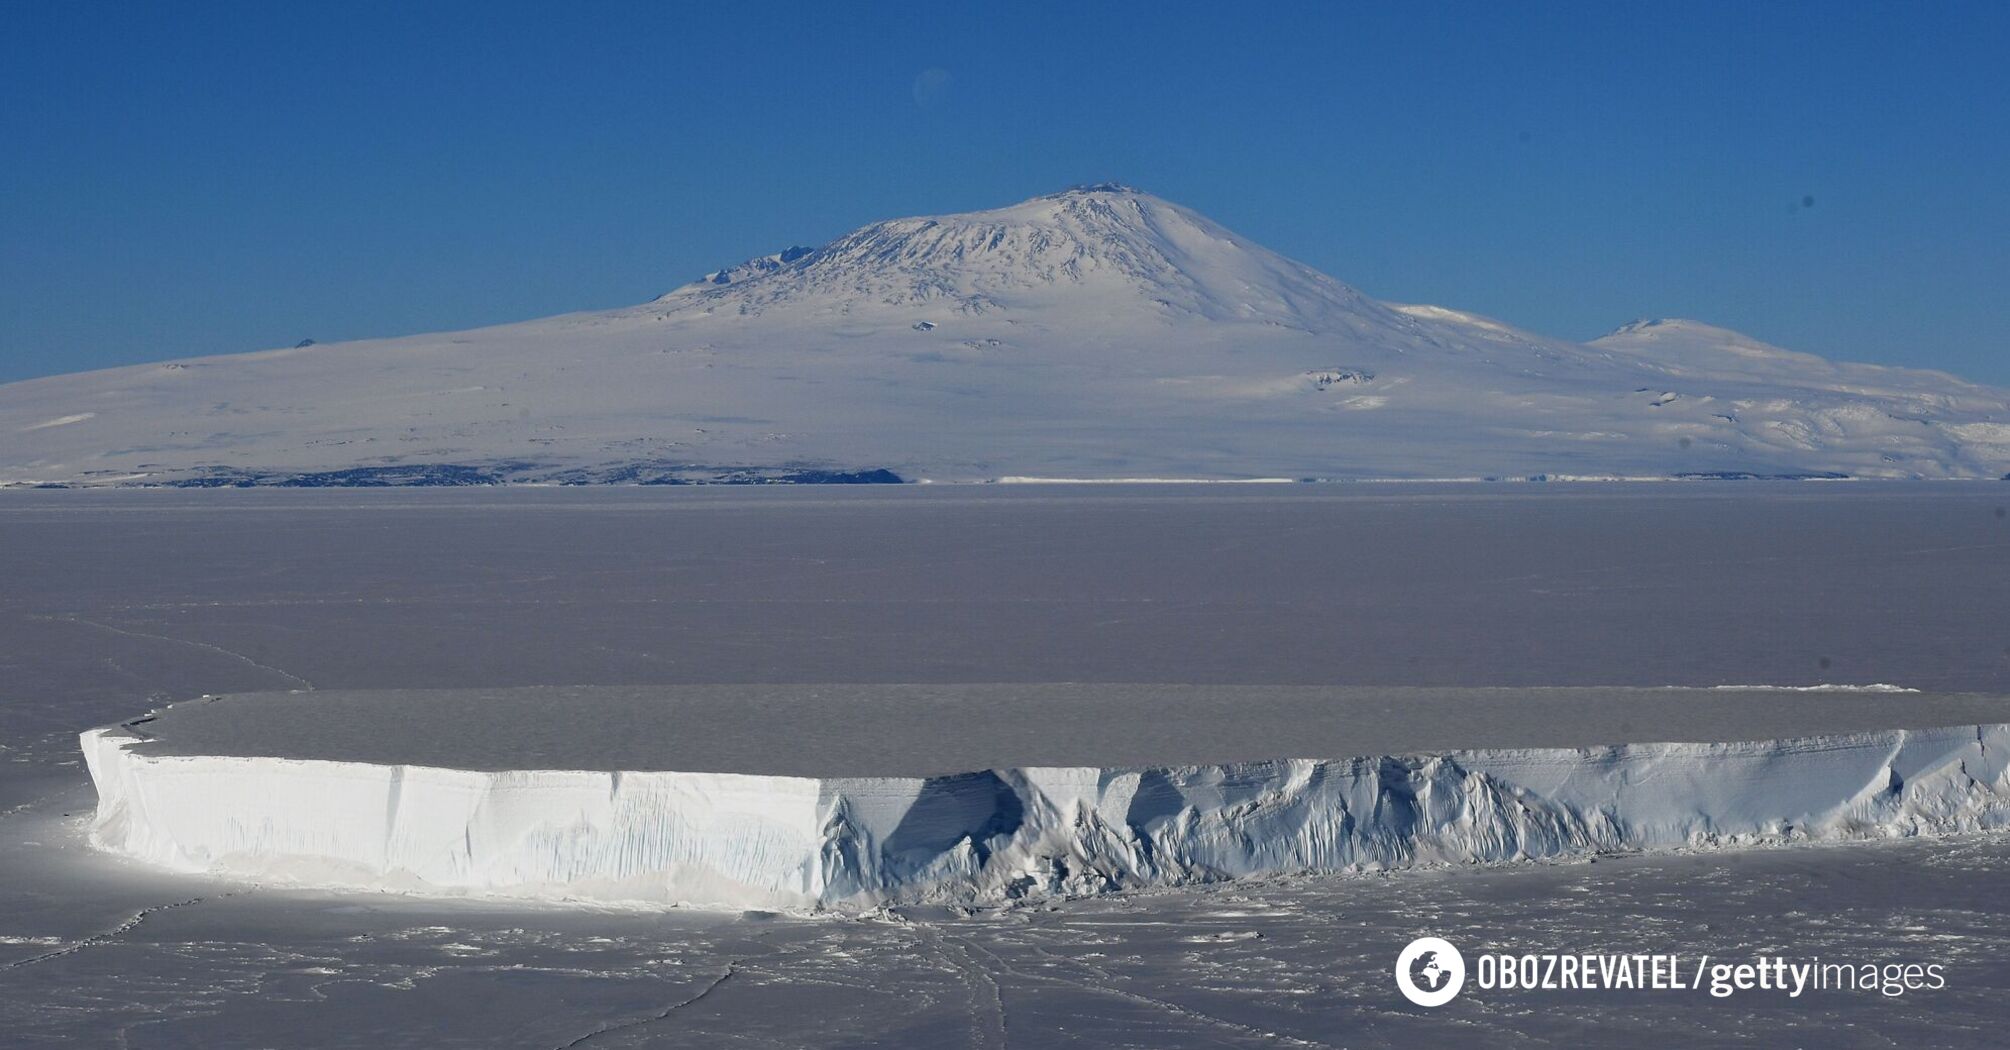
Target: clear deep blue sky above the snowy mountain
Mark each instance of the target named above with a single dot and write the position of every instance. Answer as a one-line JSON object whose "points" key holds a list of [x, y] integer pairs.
{"points": [[210, 178]]}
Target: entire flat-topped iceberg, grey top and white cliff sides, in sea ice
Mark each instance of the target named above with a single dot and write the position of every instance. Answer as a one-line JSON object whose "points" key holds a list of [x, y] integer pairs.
{"points": [[415, 790]]}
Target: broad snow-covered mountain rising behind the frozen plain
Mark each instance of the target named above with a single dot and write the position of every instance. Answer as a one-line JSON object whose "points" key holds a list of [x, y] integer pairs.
{"points": [[1090, 335]]}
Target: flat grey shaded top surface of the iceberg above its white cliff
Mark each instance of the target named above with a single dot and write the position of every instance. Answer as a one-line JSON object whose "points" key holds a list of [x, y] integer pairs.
{"points": [[926, 731]]}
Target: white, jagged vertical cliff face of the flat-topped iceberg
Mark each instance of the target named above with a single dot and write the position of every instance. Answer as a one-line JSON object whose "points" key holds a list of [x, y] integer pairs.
{"points": [[807, 844]]}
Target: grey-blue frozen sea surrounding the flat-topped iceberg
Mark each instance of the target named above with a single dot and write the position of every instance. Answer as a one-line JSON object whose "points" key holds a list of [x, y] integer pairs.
{"points": [[118, 602]]}
